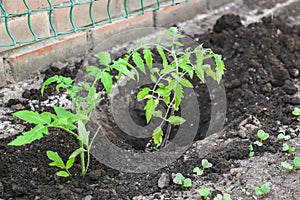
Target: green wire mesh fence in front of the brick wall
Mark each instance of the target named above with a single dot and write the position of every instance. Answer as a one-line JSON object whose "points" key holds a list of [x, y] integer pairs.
{"points": [[6, 17]]}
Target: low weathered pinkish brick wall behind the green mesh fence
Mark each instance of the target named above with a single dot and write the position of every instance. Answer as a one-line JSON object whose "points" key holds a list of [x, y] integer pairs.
{"points": [[22, 61]]}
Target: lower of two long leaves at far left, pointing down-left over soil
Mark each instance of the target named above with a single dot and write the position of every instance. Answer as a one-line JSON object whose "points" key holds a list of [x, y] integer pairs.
{"points": [[28, 137]]}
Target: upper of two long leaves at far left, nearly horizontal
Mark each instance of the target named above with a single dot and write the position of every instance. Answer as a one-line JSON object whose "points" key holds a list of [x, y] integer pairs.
{"points": [[33, 117]]}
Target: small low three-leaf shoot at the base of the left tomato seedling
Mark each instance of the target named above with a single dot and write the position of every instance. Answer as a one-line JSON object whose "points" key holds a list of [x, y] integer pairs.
{"points": [[58, 162]]}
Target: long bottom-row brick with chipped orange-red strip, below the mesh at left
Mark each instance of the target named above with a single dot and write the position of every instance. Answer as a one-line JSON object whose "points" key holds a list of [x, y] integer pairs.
{"points": [[26, 62]]}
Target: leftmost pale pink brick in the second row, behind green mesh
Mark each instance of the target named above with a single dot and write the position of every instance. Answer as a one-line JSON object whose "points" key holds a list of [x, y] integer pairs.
{"points": [[20, 30]]}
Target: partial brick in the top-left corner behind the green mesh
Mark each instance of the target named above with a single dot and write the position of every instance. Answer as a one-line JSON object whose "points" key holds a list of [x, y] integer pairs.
{"points": [[19, 6]]}
